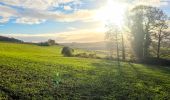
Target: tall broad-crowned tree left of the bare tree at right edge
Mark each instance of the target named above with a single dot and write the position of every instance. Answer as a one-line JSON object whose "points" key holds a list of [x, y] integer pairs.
{"points": [[142, 21]]}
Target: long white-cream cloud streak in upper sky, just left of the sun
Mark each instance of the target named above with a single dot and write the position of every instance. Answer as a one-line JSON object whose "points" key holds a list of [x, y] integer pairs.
{"points": [[80, 15]]}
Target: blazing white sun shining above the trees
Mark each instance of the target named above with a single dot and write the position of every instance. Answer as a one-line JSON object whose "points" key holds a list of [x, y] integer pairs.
{"points": [[112, 12]]}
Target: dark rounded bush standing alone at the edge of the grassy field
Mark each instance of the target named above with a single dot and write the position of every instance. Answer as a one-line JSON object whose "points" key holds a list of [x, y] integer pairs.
{"points": [[67, 51]]}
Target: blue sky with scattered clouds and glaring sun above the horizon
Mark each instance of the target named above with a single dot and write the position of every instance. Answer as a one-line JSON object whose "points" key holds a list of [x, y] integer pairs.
{"points": [[64, 20]]}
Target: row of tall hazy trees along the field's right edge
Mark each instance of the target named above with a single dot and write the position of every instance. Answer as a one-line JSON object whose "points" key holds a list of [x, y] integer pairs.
{"points": [[147, 29]]}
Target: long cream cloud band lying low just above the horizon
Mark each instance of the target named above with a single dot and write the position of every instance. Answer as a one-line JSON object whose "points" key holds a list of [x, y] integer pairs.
{"points": [[70, 36]]}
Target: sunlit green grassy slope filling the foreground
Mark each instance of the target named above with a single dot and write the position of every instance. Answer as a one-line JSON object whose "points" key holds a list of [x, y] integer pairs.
{"points": [[34, 72]]}
